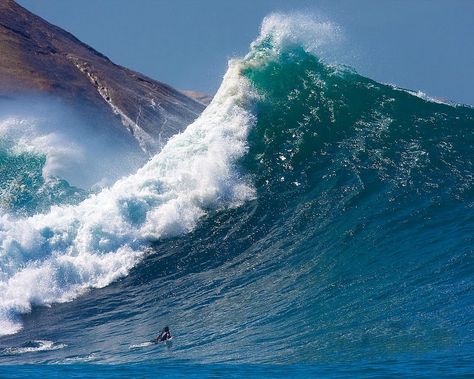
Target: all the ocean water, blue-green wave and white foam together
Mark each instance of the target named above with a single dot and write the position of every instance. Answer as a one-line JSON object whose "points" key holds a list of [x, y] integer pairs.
{"points": [[311, 222]]}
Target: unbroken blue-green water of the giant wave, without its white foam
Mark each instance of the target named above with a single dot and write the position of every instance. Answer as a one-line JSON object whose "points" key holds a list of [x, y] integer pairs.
{"points": [[353, 257]]}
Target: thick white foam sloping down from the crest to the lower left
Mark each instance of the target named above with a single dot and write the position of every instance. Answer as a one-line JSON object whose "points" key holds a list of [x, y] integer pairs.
{"points": [[55, 257]]}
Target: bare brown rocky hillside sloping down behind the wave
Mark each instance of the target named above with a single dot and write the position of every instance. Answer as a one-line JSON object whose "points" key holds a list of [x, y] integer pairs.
{"points": [[38, 57]]}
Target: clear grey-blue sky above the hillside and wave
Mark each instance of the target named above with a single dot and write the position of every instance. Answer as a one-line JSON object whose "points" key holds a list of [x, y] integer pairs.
{"points": [[425, 45]]}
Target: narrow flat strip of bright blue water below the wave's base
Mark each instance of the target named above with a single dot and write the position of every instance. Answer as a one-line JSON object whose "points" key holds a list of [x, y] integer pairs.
{"points": [[410, 368]]}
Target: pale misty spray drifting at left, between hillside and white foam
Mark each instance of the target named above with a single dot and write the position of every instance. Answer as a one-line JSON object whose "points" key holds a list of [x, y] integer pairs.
{"points": [[88, 154]]}
